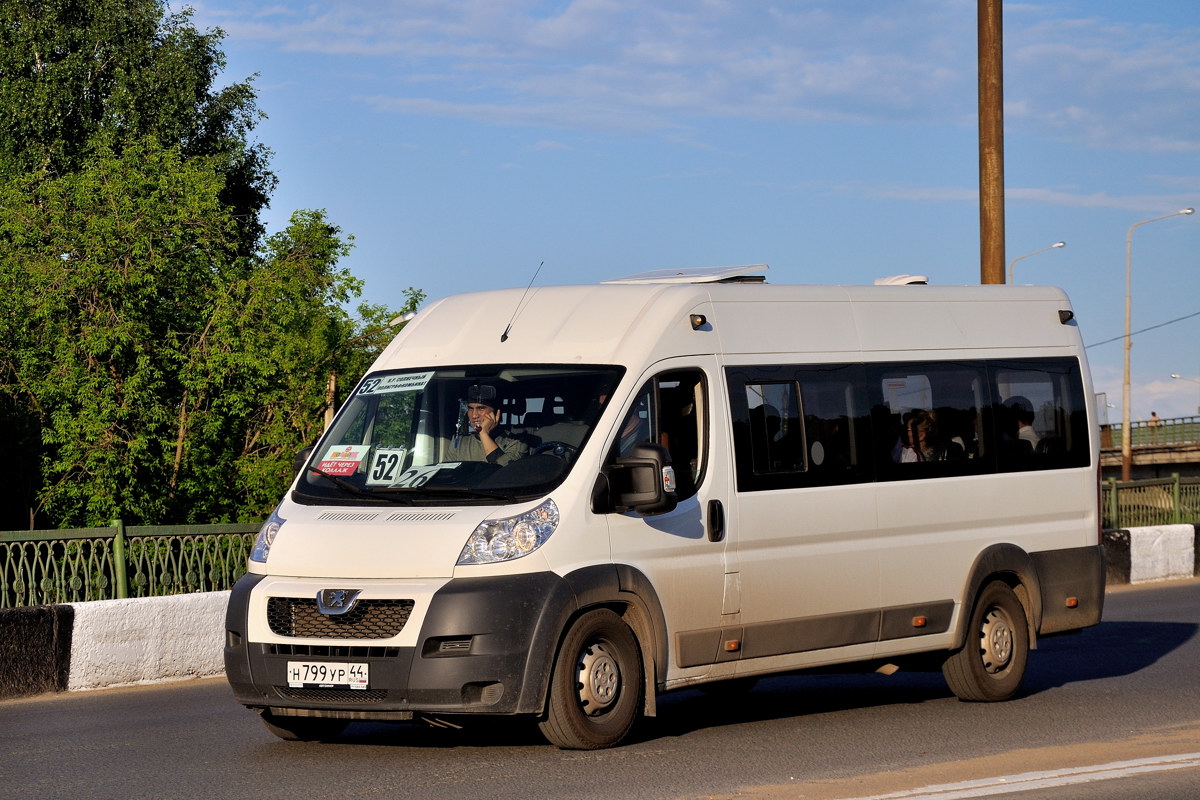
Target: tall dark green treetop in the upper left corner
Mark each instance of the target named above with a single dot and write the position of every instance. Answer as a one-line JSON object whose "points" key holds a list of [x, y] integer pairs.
{"points": [[77, 76]]}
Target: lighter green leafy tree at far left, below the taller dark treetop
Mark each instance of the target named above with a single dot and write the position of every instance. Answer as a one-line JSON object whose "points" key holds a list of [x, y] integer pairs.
{"points": [[112, 262]]}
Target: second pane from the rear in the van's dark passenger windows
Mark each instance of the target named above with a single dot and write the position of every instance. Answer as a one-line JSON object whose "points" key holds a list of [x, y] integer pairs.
{"points": [[929, 419]]}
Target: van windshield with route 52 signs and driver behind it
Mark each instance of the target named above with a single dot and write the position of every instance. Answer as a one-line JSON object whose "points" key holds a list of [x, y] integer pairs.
{"points": [[457, 435]]}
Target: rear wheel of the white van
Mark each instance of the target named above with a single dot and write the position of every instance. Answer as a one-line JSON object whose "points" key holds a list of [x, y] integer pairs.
{"points": [[991, 665]]}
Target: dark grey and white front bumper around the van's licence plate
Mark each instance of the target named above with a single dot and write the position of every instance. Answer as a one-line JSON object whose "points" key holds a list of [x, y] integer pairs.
{"points": [[485, 646]]}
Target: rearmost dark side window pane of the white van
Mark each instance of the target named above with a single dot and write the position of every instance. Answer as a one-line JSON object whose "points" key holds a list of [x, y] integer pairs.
{"points": [[1041, 420]]}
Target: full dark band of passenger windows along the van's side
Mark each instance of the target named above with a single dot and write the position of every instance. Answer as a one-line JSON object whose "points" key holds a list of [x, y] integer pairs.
{"points": [[825, 425]]}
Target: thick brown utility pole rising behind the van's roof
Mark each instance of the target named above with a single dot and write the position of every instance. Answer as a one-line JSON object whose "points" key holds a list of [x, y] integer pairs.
{"points": [[992, 143]]}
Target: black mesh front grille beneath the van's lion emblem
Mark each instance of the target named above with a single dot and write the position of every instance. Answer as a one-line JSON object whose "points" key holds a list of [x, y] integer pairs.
{"points": [[370, 619]]}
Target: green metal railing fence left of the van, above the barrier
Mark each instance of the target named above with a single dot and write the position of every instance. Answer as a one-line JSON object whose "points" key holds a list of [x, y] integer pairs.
{"points": [[40, 568]]}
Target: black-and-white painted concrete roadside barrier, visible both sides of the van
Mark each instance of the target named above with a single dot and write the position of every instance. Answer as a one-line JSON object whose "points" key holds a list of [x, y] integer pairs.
{"points": [[109, 643]]}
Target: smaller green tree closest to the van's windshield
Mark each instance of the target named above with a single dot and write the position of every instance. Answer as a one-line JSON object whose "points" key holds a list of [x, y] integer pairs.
{"points": [[257, 377]]}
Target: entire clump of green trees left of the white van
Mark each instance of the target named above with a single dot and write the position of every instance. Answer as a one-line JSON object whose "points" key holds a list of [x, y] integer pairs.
{"points": [[161, 358]]}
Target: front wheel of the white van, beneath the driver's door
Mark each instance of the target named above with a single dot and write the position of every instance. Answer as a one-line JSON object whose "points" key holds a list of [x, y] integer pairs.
{"points": [[596, 689]]}
